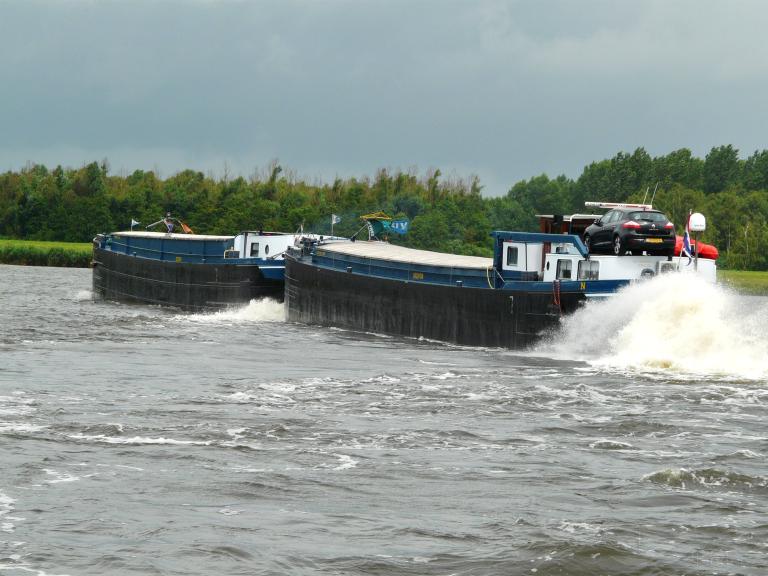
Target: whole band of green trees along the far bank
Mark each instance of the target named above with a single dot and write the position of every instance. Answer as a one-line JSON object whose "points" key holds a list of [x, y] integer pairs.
{"points": [[446, 214]]}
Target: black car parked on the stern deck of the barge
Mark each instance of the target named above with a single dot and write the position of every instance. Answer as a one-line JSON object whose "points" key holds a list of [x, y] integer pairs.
{"points": [[631, 229]]}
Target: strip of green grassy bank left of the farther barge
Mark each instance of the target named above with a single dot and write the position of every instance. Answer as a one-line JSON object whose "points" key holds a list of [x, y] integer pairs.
{"points": [[34, 253]]}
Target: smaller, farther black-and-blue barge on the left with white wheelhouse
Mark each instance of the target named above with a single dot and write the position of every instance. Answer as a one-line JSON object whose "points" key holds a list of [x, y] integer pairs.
{"points": [[194, 272]]}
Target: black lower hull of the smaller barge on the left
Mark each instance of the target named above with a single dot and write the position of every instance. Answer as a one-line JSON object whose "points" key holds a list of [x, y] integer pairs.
{"points": [[194, 287]]}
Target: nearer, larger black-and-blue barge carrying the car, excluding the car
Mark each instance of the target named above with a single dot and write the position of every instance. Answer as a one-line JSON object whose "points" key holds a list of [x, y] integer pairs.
{"points": [[509, 300]]}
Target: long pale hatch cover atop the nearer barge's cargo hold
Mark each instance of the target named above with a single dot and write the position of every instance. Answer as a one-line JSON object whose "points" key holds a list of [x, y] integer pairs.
{"points": [[393, 253]]}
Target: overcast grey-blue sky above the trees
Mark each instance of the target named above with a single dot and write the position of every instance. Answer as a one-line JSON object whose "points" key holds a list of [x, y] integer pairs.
{"points": [[501, 90]]}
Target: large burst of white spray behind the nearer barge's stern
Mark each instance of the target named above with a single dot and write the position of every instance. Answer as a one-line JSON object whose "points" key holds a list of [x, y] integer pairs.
{"points": [[674, 323]]}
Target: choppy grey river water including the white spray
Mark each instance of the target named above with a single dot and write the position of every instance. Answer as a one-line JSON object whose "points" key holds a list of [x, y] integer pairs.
{"points": [[140, 440]]}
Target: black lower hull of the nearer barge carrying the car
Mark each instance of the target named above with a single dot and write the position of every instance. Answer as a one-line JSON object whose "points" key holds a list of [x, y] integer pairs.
{"points": [[467, 316]]}
